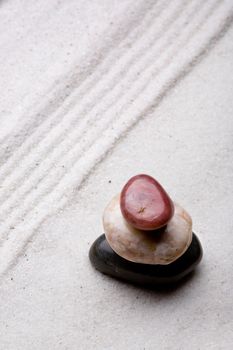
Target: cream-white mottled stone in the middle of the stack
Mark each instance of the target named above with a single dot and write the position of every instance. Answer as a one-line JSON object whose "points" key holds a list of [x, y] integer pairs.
{"points": [[146, 247]]}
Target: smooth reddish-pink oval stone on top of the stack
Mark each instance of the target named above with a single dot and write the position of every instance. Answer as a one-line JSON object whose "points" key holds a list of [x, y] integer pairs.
{"points": [[145, 204]]}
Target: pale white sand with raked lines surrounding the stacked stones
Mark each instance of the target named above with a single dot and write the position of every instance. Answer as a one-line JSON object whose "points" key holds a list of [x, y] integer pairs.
{"points": [[50, 296]]}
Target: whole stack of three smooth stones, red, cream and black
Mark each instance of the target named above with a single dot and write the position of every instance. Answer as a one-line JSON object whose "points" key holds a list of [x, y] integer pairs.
{"points": [[148, 238]]}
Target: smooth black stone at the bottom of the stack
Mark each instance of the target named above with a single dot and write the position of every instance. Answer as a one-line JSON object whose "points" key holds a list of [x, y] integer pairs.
{"points": [[104, 259]]}
